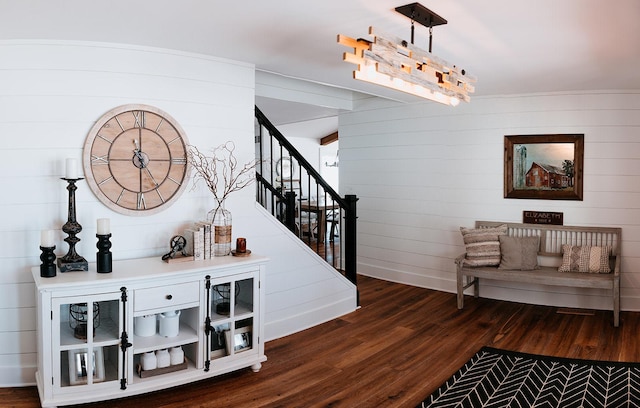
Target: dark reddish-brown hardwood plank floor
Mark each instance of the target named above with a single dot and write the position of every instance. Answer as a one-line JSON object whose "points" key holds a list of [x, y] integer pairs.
{"points": [[392, 352]]}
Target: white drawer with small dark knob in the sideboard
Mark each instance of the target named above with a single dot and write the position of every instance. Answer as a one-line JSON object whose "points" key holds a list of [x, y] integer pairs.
{"points": [[166, 296]]}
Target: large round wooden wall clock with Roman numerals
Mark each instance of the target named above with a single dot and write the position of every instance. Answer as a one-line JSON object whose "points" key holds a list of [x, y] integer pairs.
{"points": [[135, 159]]}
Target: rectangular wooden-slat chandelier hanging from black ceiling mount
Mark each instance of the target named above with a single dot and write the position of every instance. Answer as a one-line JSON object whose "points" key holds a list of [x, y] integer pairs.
{"points": [[392, 62]]}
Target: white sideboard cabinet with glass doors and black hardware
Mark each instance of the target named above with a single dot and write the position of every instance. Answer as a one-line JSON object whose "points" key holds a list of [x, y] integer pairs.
{"points": [[105, 336]]}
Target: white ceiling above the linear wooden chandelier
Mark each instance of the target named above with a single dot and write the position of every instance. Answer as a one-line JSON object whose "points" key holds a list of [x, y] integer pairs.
{"points": [[512, 46]]}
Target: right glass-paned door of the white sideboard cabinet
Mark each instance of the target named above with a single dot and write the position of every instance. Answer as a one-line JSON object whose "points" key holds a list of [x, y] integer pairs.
{"points": [[230, 316]]}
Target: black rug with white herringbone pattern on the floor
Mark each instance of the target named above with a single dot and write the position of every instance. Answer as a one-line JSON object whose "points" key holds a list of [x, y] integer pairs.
{"points": [[499, 378]]}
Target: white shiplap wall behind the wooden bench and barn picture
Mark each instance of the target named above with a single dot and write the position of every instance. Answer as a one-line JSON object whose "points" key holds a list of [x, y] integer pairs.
{"points": [[423, 170]]}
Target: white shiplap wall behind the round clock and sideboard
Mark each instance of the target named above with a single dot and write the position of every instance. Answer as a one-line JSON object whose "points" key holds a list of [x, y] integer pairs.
{"points": [[51, 93]]}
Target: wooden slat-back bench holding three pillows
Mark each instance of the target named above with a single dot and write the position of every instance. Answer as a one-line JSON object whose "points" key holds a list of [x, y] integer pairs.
{"points": [[552, 238]]}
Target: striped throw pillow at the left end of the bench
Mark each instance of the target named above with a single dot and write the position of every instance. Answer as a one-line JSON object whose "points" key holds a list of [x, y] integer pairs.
{"points": [[483, 245]]}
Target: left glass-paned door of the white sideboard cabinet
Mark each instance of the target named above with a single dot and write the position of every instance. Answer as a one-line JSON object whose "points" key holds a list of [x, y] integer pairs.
{"points": [[86, 340]]}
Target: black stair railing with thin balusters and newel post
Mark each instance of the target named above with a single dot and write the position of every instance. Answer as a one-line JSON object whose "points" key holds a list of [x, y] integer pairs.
{"points": [[297, 195]]}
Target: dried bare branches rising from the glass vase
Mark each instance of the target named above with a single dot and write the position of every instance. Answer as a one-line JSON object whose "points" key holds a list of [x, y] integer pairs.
{"points": [[220, 171]]}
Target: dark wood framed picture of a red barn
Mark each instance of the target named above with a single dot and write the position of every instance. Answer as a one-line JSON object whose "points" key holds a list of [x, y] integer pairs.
{"points": [[544, 167]]}
